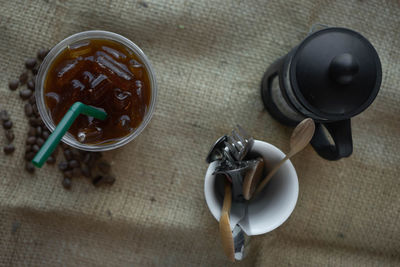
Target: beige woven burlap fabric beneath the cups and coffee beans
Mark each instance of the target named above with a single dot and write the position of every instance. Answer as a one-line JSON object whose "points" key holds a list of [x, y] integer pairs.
{"points": [[209, 57]]}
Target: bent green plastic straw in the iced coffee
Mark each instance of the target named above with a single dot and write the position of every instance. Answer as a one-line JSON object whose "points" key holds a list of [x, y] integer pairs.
{"points": [[51, 143]]}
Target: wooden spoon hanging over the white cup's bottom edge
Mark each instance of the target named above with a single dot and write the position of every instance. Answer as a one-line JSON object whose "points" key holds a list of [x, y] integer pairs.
{"points": [[224, 224]]}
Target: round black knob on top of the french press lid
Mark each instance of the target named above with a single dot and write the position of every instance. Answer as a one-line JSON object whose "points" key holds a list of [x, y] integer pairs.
{"points": [[343, 68]]}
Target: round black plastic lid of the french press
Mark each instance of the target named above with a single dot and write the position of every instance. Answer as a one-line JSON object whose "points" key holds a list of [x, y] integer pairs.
{"points": [[335, 73]]}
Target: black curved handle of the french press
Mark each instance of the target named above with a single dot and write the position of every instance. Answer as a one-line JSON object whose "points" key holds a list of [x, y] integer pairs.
{"points": [[340, 131]]}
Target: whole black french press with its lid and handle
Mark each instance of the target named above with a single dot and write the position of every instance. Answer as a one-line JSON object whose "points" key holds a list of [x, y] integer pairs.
{"points": [[333, 75]]}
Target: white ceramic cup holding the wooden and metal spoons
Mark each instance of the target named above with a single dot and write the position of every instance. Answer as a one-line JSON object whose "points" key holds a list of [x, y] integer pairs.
{"points": [[271, 207]]}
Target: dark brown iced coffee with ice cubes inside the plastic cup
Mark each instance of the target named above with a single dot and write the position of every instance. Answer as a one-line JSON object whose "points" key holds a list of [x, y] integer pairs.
{"points": [[104, 74]]}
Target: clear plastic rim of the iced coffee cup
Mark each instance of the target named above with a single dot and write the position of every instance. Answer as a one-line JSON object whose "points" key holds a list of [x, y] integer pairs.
{"points": [[56, 50]]}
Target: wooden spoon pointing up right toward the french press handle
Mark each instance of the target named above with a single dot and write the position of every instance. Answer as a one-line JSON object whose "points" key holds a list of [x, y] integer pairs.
{"points": [[300, 138]]}
